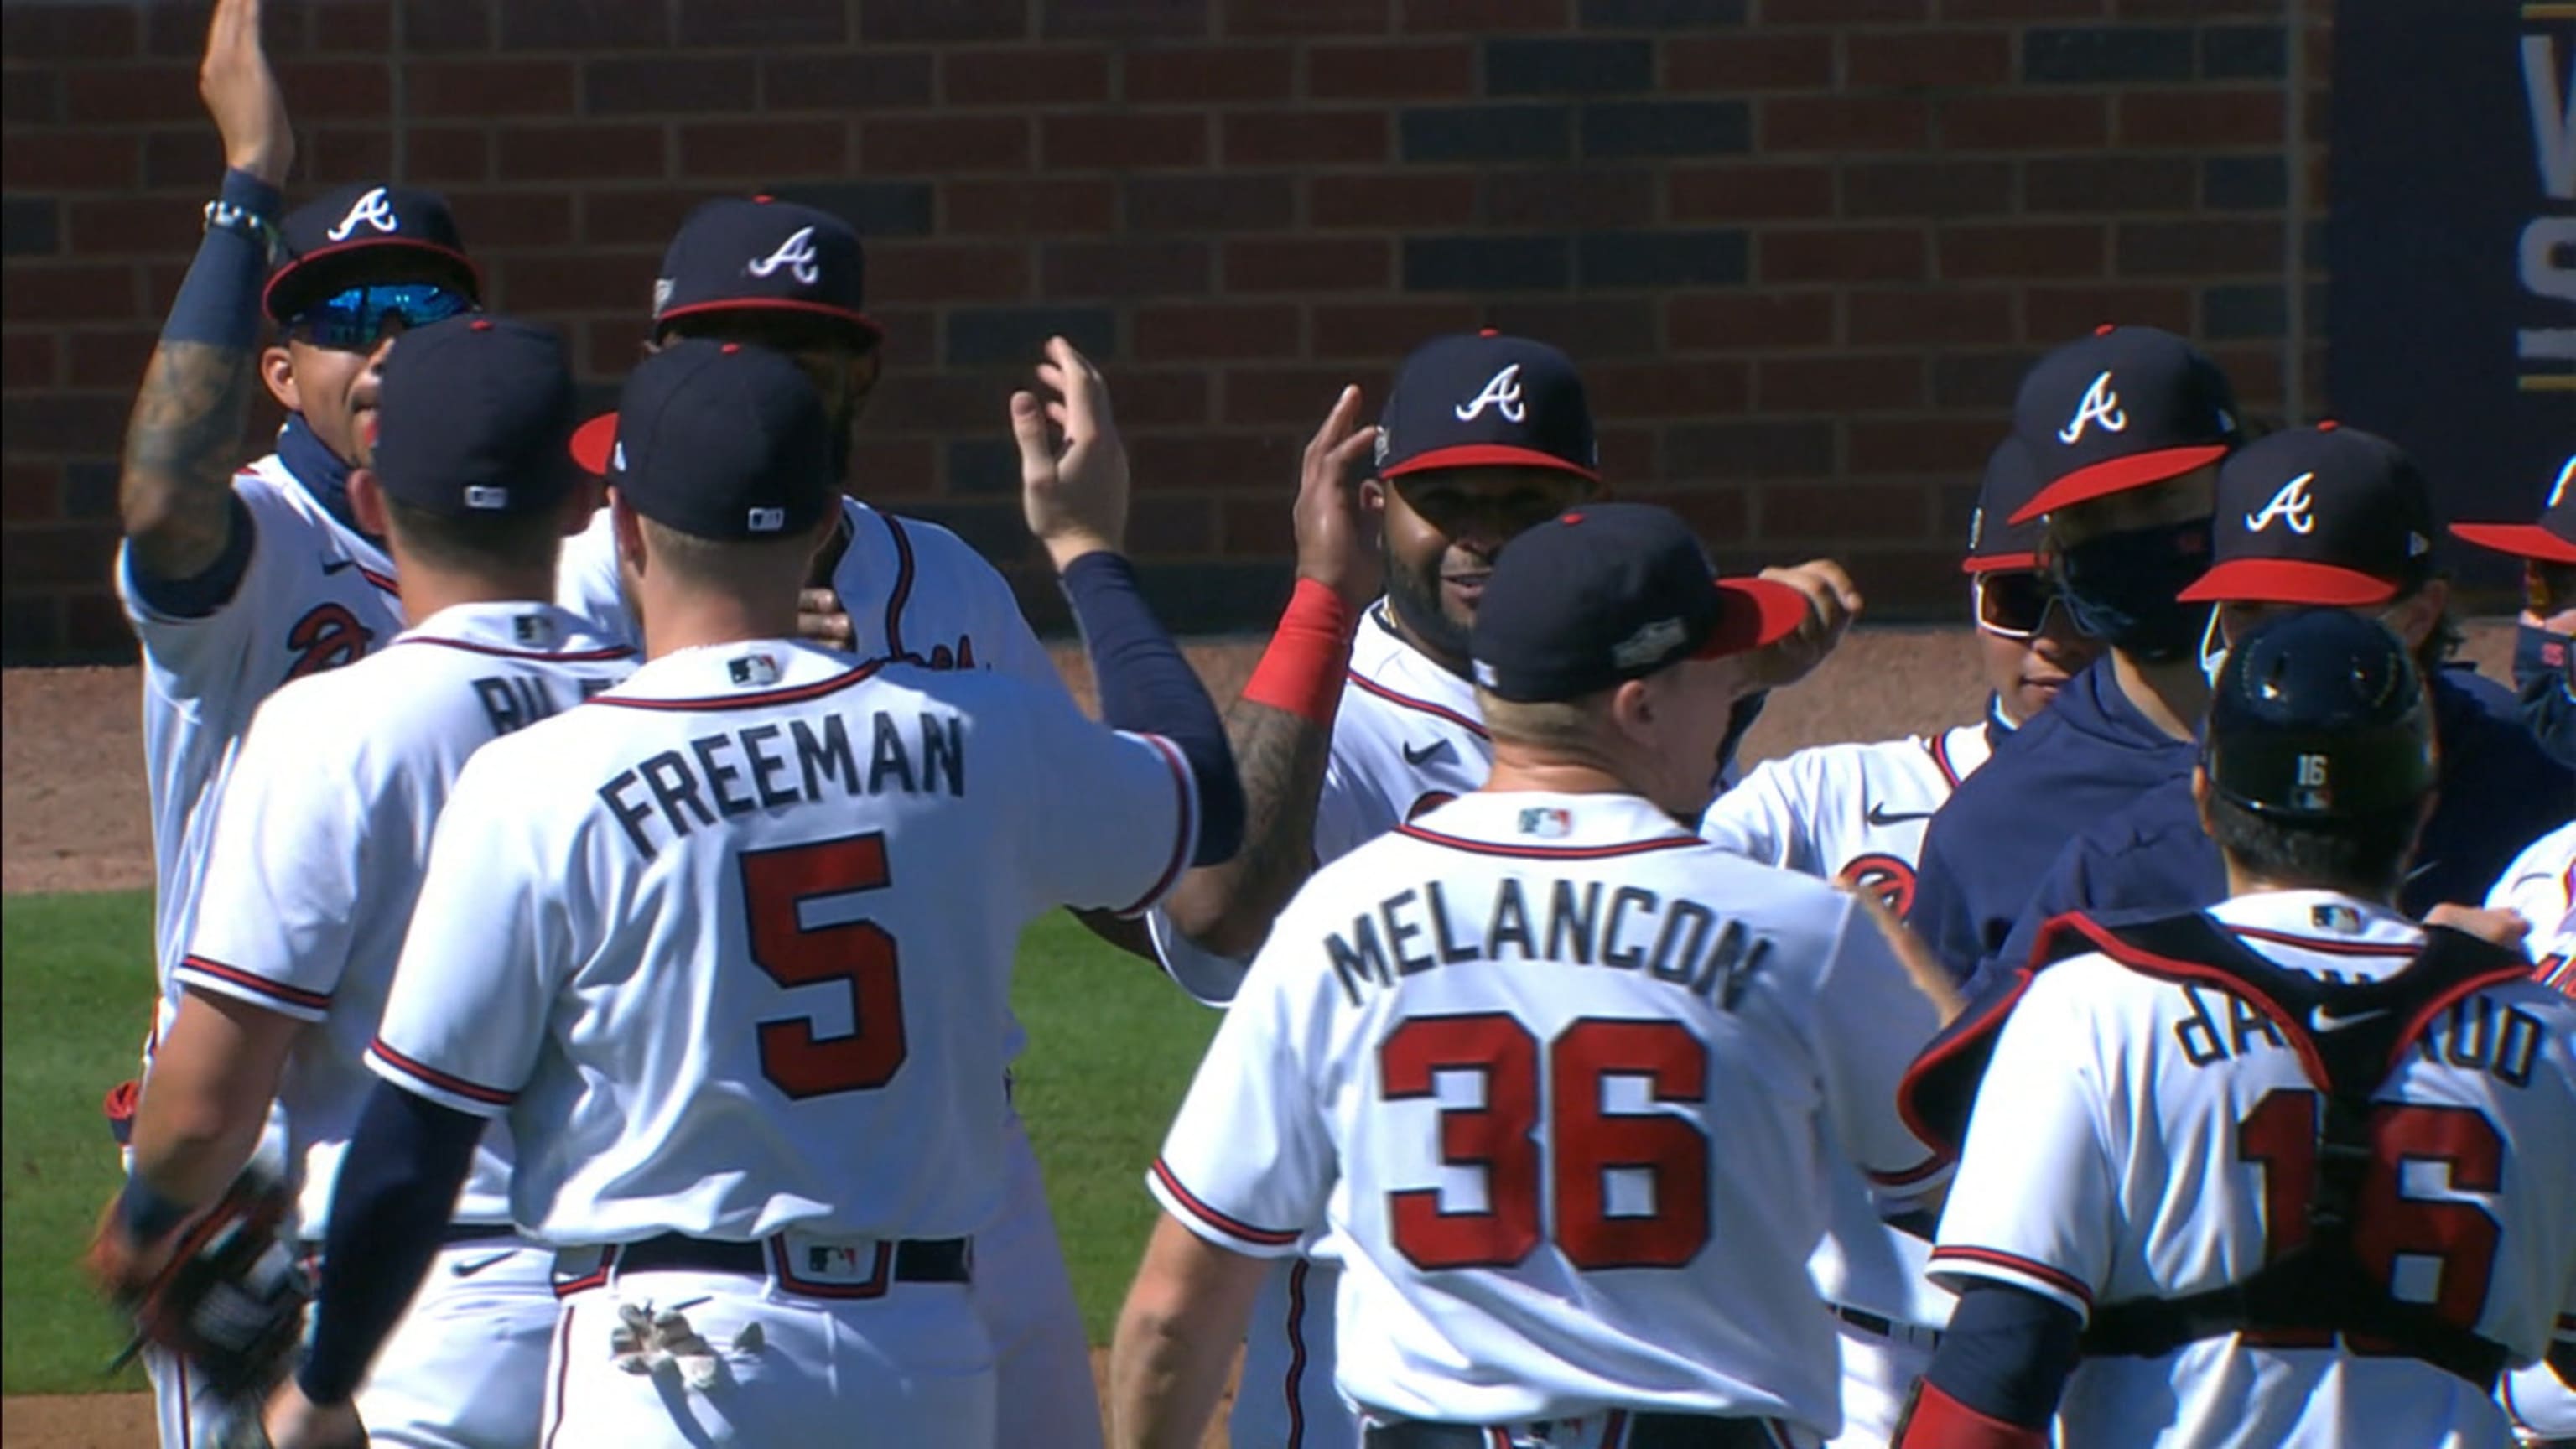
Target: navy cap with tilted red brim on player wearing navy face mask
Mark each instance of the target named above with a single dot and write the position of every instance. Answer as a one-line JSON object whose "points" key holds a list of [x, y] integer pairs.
{"points": [[2116, 411]]}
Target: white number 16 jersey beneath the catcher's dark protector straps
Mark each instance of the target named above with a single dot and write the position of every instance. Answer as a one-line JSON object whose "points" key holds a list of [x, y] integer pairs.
{"points": [[2142, 1138]]}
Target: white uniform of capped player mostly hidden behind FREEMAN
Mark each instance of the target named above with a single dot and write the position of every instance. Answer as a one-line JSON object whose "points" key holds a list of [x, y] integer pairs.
{"points": [[916, 589]]}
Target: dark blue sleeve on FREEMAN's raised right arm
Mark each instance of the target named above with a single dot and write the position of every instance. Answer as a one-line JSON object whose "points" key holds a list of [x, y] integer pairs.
{"points": [[1148, 687]]}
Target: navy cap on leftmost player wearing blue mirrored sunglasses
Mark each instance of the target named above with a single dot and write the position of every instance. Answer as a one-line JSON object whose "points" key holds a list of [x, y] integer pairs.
{"points": [[359, 233]]}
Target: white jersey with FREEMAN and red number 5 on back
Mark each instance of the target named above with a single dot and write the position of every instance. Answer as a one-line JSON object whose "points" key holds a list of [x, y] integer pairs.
{"points": [[730, 945]]}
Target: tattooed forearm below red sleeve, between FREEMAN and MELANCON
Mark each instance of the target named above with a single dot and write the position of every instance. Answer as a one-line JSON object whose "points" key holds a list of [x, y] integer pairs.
{"points": [[1282, 757]]}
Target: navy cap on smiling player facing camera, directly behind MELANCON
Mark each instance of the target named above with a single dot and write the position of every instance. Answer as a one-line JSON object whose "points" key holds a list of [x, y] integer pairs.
{"points": [[1480, 401]]}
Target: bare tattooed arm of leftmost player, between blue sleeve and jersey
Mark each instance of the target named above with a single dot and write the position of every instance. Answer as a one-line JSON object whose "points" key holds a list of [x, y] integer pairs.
{"points": [[182, 445]]}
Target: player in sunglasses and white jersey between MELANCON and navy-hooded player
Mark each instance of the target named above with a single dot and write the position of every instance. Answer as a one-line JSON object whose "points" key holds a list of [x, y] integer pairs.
{"points": [[1856, 816]]}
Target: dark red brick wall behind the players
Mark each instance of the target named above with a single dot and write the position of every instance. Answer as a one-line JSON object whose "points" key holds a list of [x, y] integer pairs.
{"points": [[1802, 249]]}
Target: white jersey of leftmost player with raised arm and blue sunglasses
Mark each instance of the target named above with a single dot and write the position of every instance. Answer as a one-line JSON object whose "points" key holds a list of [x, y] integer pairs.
{"points": [[316, 597]]}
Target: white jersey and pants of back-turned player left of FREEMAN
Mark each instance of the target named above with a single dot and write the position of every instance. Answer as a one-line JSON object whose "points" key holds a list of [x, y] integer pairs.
{"points": [[318, 857]]}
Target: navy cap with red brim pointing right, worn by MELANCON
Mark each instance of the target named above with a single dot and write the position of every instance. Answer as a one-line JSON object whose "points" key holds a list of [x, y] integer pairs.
{"points": [[1614, 592]]}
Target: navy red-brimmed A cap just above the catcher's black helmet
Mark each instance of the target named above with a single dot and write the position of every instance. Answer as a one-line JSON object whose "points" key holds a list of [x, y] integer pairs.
{"points": [[2320, 517]]}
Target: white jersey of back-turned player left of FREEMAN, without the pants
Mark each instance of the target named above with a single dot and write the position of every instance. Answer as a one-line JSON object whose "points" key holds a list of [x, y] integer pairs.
{"points": [[326, 834]]}
